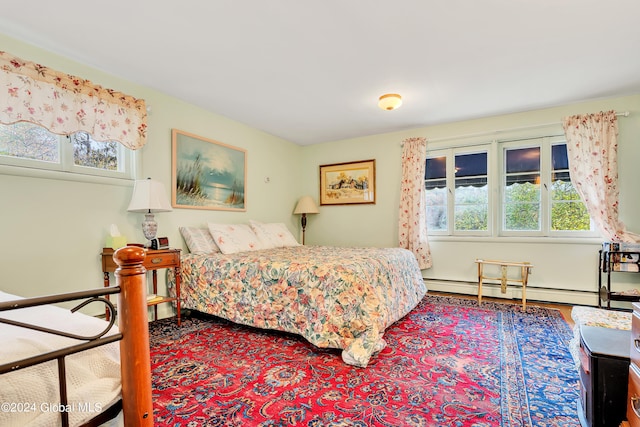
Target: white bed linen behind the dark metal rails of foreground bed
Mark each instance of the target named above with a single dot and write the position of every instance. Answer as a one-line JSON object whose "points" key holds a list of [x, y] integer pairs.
{"points": [[31, 396]]}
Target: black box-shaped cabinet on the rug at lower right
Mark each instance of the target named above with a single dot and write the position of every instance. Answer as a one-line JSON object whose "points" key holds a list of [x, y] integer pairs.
{"points": [[604, 369]]}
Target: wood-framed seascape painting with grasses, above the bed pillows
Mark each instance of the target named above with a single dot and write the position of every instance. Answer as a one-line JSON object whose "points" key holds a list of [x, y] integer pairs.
{"points": [[207, 174]]}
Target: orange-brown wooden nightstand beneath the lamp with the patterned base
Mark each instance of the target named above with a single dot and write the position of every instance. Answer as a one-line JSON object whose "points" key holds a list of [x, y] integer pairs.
{"points": [[155, 259]]}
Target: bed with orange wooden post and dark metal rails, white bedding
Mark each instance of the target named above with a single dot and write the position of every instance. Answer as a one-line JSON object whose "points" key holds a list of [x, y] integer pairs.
{"points": [[106, 368]]}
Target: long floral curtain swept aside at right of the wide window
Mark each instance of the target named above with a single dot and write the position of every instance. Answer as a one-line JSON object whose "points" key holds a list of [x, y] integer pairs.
{"points": [[592, 148]]}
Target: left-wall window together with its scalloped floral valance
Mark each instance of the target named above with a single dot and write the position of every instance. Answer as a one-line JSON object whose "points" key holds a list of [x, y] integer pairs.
{"points": [[55, 121]]}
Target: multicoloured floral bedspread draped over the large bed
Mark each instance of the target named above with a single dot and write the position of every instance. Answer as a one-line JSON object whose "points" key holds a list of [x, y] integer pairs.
{"points": [[334, 297]]}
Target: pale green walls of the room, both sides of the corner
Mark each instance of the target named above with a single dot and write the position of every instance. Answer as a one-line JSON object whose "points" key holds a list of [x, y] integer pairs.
{"points": [[52, 230]]}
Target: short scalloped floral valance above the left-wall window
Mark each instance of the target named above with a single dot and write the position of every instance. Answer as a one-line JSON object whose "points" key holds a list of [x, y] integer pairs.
{"points": [[65, 104]]}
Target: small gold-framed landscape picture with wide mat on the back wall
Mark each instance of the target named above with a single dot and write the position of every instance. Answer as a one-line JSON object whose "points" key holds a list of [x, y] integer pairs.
{"points": [[348, 183]]}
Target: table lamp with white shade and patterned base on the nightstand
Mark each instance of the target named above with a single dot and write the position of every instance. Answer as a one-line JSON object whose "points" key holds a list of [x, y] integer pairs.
{"points": [[149, 197]]}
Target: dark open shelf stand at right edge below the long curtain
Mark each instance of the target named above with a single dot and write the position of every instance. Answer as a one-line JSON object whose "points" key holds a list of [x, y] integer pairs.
{"points": [[616, 261]]}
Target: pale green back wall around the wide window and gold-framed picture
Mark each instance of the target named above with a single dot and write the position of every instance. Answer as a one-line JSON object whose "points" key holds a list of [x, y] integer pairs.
{"points": [[565, 269]]}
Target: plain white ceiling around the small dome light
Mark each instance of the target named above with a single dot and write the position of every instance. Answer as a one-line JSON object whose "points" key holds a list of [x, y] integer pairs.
{"points": [[312, 72]]}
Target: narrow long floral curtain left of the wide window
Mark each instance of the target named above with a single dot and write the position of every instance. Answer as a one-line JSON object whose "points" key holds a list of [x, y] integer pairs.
{"points": [[413, 217]]}
